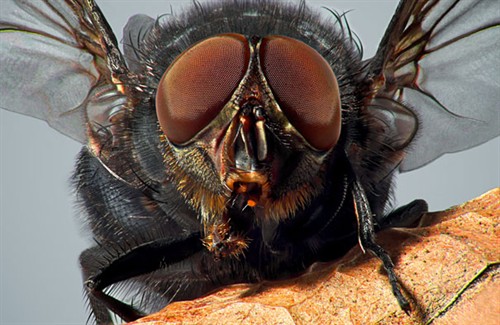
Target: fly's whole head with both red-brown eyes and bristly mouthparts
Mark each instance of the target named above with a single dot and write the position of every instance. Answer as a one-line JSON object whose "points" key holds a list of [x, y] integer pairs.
{"points": [[248, 123]]}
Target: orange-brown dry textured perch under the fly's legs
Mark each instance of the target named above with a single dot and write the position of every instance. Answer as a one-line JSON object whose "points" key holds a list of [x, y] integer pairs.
{"points": [[448, 266]]}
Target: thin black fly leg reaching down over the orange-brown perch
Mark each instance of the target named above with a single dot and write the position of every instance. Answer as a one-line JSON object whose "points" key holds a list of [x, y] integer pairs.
{"points": [[366, 235]]}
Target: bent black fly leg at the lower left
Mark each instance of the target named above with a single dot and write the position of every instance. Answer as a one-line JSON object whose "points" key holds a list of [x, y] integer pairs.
{"points": [[139, 260]]}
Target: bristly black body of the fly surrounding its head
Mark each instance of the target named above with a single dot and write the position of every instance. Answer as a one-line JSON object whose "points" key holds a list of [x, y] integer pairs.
{"points": [[321, 230]]}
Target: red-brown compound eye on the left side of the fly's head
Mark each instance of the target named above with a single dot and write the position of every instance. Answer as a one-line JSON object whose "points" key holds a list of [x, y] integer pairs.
{"points": [[198, 84]]}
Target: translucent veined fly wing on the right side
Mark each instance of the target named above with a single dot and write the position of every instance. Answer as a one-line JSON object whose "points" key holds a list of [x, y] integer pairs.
{"points": [[440, 60]]}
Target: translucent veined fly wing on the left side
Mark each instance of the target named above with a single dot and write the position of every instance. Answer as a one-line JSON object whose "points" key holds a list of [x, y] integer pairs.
{"points": [[59, 62]]}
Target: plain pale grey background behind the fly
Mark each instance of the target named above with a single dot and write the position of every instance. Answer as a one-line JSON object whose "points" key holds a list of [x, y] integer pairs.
{"points": [[40, 234]]}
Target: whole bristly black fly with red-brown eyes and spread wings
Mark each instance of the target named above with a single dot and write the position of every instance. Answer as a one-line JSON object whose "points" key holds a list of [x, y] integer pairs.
{"points": [[244, 141]]}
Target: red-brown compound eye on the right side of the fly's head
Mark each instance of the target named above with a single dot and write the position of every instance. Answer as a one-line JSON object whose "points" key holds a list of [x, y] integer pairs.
{"points": [[305, 87]]}
